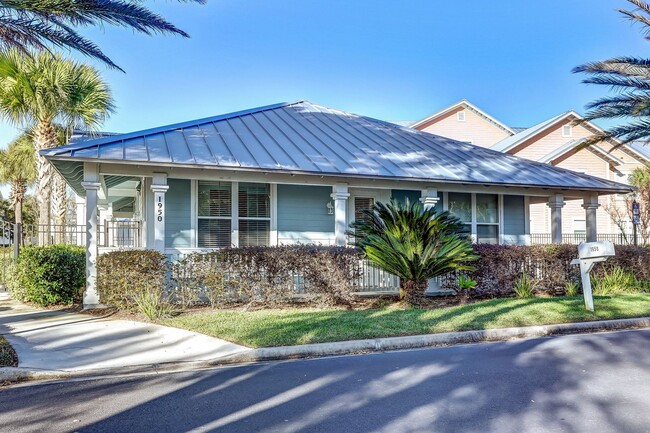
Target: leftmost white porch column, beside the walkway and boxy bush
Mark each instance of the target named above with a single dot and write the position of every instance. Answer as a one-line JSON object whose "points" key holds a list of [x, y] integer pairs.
{"points": [[91, 297]]}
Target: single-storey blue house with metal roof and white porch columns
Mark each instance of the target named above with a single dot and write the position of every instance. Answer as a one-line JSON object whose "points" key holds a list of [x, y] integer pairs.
{"points": [[301, 172]]}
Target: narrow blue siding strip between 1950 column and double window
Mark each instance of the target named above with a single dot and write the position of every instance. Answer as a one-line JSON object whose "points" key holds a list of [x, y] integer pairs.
{"points": [[178, 215]]}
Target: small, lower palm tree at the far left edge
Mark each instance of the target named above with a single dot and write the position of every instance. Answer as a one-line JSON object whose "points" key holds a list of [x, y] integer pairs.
{"points": [[18, 168]]}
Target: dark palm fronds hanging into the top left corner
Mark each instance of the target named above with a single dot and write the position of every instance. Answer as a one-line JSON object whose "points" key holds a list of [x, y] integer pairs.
{"points": [[38, 24]]}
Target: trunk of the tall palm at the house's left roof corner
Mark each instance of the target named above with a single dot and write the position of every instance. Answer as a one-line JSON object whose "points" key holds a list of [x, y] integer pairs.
{"points": [[44, 138]]}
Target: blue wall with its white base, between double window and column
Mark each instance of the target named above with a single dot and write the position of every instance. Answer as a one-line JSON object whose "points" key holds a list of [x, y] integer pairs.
{"points": [[303, 215]]}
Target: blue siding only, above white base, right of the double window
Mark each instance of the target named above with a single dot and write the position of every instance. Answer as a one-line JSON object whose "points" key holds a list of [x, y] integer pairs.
{"points": [[304, 208]]}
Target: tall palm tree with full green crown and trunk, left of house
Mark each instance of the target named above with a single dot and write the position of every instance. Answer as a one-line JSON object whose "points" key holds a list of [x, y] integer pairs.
{"points": [[43, 91]]}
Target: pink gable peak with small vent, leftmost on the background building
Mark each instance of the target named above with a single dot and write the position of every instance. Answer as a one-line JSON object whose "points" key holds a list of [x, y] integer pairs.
{"points": [[475, 129]]}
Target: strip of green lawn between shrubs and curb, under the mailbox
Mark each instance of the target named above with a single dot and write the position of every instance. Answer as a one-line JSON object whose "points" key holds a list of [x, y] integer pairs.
{"points": [[277, 327]]}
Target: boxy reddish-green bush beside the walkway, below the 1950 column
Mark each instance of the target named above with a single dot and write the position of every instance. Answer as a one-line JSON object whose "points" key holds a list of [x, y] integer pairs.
{"points": [[133, 280]]}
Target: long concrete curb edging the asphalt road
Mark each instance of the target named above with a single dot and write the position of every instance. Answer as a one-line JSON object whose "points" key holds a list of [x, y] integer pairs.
{"points": [[10, 375]]}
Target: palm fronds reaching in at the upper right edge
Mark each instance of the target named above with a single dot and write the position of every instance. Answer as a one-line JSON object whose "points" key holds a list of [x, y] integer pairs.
{"points": [[629, 77]]}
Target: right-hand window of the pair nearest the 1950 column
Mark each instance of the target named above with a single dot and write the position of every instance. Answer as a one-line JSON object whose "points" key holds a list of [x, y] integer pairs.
{"points": [[254, 214]]}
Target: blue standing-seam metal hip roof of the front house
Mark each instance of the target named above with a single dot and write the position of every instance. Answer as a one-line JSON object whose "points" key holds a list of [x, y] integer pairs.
{"points": [[303, 137]]}
